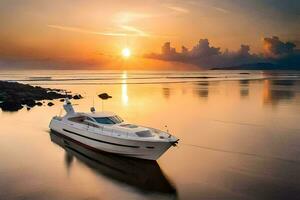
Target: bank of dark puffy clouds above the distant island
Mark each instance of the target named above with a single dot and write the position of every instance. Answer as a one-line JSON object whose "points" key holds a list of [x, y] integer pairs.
{"points": [[203, 54]]}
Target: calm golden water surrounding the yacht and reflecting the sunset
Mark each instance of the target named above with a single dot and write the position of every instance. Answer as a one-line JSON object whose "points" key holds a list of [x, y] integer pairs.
{"points": [[239, 137]]}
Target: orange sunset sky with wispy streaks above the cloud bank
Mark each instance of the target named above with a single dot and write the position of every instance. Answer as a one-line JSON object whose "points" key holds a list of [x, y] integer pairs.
{"points": [[79, 32]]}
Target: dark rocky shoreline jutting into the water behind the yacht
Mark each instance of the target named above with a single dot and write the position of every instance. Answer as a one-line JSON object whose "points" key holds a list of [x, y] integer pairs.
{"points": [[14, 96]]}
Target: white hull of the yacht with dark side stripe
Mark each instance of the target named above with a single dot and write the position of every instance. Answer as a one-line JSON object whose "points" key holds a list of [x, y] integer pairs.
{"points": [[149, 150]]}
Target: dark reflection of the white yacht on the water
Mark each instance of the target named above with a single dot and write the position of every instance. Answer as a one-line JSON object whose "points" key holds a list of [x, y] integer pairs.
{"points": [[144, 175]]}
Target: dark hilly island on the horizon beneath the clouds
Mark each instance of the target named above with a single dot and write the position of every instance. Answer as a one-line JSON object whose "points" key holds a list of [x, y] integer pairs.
{"points": [[257, 66]]}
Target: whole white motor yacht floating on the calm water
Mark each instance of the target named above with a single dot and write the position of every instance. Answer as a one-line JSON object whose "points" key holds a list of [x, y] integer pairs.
{"points": [[106, 131]]}
